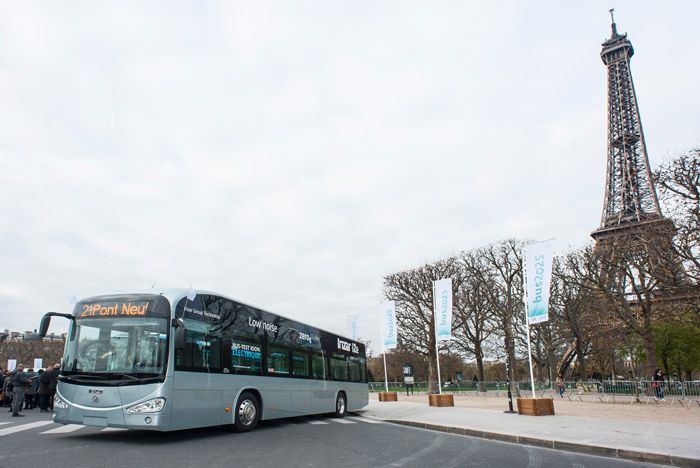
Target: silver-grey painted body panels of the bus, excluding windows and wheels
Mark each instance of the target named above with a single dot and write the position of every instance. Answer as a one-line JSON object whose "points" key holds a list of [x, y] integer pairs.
{"points": [[195, 398]]}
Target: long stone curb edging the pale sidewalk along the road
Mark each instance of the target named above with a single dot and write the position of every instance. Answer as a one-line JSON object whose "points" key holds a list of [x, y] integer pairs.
{"points": [[610, 452]]}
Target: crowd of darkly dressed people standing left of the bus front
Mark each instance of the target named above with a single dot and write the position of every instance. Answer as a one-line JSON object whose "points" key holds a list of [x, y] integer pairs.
{"points": [[27, 390]]}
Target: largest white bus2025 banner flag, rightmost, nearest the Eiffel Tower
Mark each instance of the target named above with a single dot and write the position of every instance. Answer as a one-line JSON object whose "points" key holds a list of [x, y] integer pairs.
{"points": [[538, 269]]}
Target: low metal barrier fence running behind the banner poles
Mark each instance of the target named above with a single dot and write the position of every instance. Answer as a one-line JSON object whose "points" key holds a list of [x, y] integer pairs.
{"points": [[606, 391]]}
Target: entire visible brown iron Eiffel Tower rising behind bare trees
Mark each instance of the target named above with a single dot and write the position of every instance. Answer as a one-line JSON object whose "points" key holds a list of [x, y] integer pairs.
{"points": [[632, 221]]}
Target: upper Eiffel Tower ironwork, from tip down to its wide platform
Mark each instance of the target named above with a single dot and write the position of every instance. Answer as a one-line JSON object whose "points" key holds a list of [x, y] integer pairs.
{"points": [[630, 197]]}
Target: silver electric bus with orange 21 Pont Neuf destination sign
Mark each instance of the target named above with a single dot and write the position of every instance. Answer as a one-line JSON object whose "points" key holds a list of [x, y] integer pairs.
{"points": [[179, 359]]}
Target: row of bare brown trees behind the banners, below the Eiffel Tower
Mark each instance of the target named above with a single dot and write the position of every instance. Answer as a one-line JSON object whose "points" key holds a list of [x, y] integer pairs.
{"points": [[634, 296]]}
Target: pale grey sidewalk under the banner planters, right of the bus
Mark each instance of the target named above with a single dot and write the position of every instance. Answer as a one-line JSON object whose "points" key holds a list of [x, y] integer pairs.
{"points": [[650, 441]]}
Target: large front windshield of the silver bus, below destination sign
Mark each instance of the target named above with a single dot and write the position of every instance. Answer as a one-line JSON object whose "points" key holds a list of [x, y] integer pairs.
{"points": [[115, 348]]}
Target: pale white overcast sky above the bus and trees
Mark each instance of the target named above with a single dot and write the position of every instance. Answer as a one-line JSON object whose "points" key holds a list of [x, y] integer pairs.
{"points": [[291, 154]]}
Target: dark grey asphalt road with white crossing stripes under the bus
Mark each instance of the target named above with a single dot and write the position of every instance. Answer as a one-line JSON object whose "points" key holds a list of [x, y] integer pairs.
{"points": [[35, 441]]}
